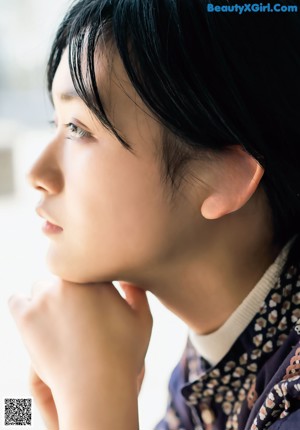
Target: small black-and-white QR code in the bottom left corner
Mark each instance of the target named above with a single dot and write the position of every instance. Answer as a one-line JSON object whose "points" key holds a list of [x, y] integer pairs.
{"points": [[17, 412]]}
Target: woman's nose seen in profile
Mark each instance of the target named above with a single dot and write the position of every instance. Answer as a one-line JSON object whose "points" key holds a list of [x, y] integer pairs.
{"points": [[46, 175]]}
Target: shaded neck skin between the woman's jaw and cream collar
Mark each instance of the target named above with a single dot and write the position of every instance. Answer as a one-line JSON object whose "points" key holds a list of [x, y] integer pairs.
{"points": [[204, 289]]}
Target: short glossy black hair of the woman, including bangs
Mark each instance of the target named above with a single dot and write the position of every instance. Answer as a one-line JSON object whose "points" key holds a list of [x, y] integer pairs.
{"points": [[212, 80]]}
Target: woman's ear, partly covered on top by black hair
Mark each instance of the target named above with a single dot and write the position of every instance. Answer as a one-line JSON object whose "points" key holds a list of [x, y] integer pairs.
{"points": [[232, 180]]}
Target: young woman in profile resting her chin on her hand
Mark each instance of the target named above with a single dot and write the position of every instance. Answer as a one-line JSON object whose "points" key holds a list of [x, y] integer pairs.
{"points": [[174, 170]]}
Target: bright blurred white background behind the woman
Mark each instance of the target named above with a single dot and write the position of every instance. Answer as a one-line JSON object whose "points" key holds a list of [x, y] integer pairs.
{"points": [[26, 30]]}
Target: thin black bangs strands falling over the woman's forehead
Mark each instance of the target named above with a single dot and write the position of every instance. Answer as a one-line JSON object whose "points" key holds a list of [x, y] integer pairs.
{"points": [[84, 31]]}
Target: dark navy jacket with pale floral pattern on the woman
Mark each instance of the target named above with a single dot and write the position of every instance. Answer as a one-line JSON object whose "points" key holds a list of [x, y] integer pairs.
{"points": [[256, 386]]}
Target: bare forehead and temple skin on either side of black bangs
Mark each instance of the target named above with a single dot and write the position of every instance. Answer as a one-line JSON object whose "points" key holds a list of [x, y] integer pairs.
{"points": [[123, 106]]}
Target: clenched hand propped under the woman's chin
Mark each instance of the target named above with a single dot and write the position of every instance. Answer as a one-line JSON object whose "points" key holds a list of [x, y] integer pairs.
{"points": [[82, 339]]}
